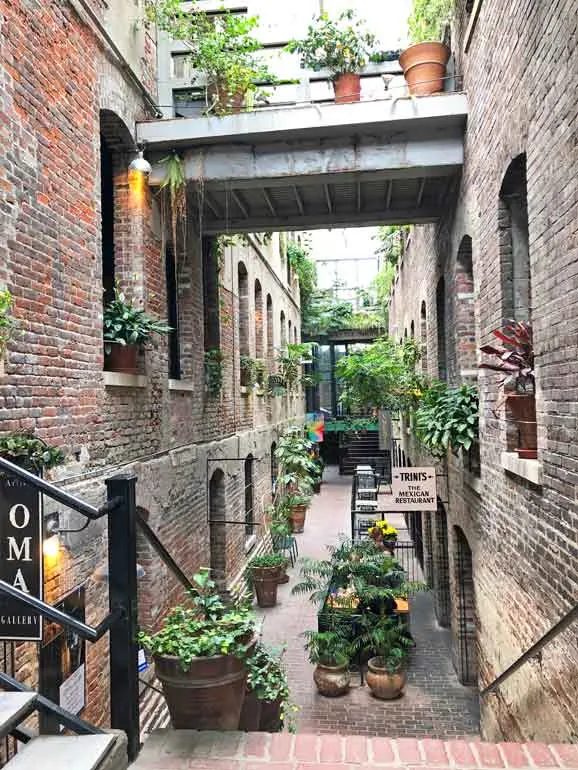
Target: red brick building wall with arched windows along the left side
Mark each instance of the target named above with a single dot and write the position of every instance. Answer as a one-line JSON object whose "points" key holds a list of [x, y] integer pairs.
{"points": [[74, 224]]}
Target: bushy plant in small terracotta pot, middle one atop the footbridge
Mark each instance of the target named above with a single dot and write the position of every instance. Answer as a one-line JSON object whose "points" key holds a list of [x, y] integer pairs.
{"points": [[342, 46]]}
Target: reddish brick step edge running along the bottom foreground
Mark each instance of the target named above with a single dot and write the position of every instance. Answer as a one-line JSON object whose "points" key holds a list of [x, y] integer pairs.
{"points": [[187, 749]]}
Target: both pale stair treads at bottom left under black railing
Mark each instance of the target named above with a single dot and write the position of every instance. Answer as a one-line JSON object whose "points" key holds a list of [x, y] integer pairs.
{"points": [[100, 751]]}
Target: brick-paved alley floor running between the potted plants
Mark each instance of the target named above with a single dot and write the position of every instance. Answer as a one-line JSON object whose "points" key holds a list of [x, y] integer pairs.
{"points": [[435, 704]]}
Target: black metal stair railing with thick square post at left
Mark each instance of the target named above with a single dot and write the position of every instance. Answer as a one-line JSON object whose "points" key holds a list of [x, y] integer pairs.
{"points": [[121, 621]]}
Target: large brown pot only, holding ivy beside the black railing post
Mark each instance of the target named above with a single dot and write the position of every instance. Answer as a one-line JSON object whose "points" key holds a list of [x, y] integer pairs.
{"points": [[208, 696]]}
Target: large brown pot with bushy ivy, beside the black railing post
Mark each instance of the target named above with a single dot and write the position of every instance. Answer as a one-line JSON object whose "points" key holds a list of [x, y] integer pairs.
{"points": [[200, 654]]}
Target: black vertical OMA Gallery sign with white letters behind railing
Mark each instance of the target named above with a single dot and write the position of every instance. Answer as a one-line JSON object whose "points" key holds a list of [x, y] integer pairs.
{"points": [[20, 557]]}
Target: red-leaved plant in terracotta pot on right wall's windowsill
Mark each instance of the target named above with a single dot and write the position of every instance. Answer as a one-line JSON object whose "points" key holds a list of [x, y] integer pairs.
{"points": [[516, 361]]}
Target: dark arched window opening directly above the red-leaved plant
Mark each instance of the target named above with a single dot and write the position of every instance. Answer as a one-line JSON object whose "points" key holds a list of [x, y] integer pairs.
{"points": [[514, 242]]}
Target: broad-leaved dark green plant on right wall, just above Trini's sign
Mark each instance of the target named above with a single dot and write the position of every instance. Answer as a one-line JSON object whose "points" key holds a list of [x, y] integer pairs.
{"points": [[447, 417]]}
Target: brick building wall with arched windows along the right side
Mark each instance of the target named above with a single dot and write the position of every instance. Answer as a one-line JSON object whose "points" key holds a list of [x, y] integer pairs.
{"points": [[501, 552]]}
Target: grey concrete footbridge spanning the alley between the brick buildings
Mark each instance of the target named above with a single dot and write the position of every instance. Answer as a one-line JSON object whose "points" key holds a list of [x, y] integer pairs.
{"points": [[301, 168]]}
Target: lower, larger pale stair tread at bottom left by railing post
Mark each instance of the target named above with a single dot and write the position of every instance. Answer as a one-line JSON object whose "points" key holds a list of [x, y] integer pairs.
{"points": [[77, 752]]}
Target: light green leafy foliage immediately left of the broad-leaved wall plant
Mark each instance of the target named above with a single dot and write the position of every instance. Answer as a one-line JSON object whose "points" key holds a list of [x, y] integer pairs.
{"points": [[381, 376]]}
